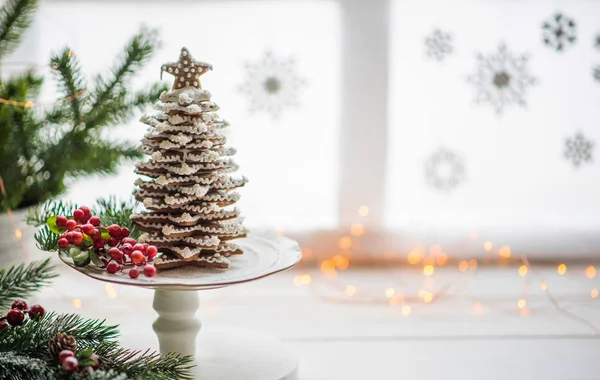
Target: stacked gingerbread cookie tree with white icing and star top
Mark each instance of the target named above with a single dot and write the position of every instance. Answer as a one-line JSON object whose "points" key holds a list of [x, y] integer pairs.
{"points": [[188, 193]]}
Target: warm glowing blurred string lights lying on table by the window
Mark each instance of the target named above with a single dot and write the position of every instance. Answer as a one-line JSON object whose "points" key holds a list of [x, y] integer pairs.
{"points": [[336, 289]]}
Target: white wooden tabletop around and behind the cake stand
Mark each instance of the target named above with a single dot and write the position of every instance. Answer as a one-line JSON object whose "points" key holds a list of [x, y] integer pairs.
{"points": [[479, 333]]}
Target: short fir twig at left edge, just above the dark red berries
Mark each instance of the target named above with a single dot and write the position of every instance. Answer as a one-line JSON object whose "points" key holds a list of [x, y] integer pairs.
{"points": [[20, 281]]}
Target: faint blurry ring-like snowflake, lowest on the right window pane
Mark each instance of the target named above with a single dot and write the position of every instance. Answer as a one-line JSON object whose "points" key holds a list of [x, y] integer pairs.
{"points": [[445, 170]]}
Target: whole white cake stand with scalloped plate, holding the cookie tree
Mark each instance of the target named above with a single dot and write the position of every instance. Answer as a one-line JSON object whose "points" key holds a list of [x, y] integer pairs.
{"points": [[221, 353]]}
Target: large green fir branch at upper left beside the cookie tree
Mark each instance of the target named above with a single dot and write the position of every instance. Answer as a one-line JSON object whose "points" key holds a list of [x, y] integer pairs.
{"points": [[39, 151]]}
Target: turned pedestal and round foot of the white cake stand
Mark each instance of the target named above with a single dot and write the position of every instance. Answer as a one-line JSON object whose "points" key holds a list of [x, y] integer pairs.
{"points": [[221, 353]]}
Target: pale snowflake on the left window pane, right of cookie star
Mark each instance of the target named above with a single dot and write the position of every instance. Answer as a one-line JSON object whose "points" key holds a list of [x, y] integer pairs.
{"points": [[272, 85]]}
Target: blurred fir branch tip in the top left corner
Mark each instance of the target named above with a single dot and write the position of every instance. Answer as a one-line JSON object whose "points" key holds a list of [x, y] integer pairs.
{"points": [[15, 17]]}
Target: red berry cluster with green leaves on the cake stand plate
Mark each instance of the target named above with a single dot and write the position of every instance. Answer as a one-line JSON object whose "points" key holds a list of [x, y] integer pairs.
{"points": [[85, 239]]}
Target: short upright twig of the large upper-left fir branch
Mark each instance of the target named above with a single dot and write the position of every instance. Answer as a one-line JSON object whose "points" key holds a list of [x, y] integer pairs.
{"points": [[68, 73]]}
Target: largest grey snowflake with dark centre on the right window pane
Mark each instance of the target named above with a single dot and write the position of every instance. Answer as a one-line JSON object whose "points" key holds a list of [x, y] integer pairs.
{"points": [[501, 79]]}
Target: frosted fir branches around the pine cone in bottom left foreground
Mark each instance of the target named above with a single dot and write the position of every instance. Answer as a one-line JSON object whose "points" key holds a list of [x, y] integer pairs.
{"points": [[31, 341]]}
